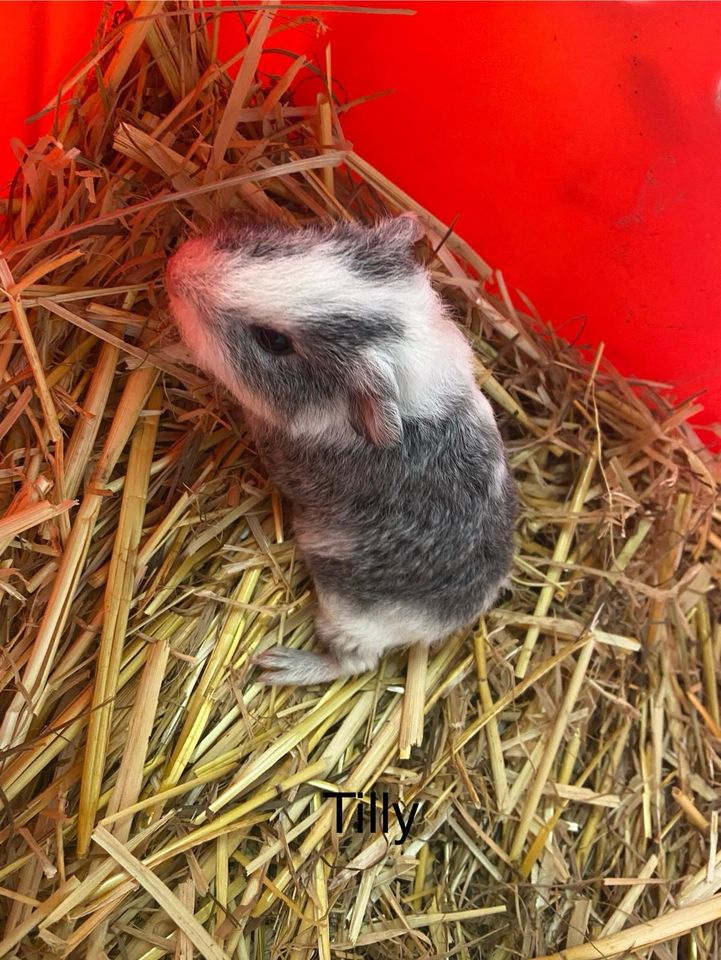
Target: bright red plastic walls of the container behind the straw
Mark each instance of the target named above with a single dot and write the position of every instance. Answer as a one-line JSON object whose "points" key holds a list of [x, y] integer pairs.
{"points": [[578, 143]]}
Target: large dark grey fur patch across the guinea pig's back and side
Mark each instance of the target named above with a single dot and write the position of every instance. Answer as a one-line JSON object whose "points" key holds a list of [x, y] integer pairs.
{"points": [[428, 520]]}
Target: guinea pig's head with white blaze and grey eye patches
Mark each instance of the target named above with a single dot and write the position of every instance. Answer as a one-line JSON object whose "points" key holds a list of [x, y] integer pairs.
{"points": [[304, 324]]}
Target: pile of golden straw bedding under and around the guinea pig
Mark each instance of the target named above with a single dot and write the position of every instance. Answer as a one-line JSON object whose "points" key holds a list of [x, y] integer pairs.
{"points": [[156, 800]]}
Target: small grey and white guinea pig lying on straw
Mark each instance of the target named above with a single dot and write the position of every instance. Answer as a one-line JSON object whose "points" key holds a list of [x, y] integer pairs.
{"points": [[360, 394]]}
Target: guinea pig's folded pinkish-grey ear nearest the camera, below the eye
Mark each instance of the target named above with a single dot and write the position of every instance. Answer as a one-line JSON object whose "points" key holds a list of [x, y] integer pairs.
{"points": [[373, 405]]}
